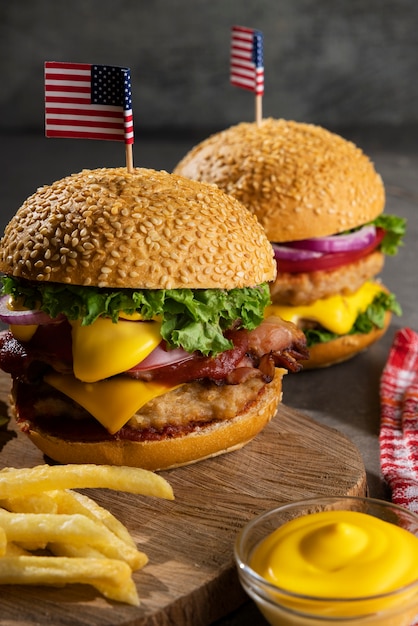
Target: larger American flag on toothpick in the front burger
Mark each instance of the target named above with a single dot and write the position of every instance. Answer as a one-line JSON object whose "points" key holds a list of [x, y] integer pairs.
{"points": [[87, 101]]}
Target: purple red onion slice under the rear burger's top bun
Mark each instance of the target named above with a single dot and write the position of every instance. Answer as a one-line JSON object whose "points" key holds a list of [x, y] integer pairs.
{"points": [[338, 243]]}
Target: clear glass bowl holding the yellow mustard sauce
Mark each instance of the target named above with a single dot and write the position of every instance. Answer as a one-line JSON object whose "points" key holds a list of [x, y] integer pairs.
{"points": [[282, 608]]}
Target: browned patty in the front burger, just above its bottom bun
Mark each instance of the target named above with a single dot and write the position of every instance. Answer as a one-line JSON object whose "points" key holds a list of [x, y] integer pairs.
{"points": [[172, 414]]}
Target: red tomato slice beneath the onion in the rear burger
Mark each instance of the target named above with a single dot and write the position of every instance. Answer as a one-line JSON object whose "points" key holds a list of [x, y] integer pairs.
{"points": [[330, 260]]}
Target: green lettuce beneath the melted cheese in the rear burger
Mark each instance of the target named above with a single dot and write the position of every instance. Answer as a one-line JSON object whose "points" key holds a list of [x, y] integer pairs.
{"points": [[372, 317]]}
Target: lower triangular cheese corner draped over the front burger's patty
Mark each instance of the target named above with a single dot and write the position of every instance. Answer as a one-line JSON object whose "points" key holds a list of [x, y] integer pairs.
{"points": [[111, 402]]}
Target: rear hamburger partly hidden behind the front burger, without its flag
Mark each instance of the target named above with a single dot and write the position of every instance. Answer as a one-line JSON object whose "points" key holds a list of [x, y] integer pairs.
{"points": [[320, 201]]}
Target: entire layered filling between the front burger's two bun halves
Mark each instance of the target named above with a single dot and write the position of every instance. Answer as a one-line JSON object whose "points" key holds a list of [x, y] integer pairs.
{"points": [[117, 362]]}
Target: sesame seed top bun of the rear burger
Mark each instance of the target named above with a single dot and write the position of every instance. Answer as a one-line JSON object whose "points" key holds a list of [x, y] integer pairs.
{"points": [[300, 180]]}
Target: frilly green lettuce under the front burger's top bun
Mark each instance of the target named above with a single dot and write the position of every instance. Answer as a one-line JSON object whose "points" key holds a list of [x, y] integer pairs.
{"points": [[194, 319]]}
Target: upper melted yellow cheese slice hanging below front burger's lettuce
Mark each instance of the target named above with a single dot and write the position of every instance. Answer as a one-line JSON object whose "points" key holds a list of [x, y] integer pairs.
{"points": [[104, 349]]}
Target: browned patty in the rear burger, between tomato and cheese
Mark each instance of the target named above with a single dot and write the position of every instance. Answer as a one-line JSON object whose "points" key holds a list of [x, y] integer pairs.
{"points": [[307, 287]]}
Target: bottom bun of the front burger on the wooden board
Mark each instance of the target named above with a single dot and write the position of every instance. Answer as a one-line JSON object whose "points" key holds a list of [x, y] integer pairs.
{"points": [[215, 439]]}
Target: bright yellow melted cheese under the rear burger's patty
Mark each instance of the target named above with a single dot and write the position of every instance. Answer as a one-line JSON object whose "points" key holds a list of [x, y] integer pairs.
{"points": [[336, 313]]}
